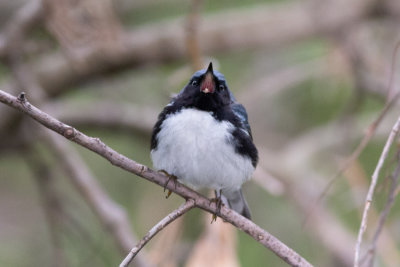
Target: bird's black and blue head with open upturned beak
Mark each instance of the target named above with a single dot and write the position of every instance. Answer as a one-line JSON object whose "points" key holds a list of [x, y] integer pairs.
{"points": [[206, 90]]}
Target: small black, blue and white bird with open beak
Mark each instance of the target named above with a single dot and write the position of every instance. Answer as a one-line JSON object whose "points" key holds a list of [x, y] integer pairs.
{"points": [[203, 138]]}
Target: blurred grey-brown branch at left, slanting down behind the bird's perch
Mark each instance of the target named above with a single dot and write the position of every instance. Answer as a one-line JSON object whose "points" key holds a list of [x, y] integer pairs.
{"points": [[111, 215]]}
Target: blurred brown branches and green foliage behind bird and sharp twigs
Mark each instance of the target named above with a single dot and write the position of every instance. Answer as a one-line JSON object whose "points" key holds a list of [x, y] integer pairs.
{"points": [[313, 75]]}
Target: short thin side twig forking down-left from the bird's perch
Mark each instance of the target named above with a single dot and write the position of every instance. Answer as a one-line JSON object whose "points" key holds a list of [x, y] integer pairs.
{"points": [[185, 207]]}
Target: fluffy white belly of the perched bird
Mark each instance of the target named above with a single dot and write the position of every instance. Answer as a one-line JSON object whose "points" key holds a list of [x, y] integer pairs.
{"points": [[195, 147]]}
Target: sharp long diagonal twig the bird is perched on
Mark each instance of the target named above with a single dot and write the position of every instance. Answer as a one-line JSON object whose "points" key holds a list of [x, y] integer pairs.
{"points": [[96, 145]]}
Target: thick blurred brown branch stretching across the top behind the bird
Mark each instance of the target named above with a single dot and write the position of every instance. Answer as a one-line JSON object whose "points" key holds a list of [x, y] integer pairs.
{"points": [[266, 26]]}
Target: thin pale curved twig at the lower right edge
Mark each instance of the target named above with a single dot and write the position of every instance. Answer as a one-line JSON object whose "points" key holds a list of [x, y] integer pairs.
{"points": [[371, 190]]}
